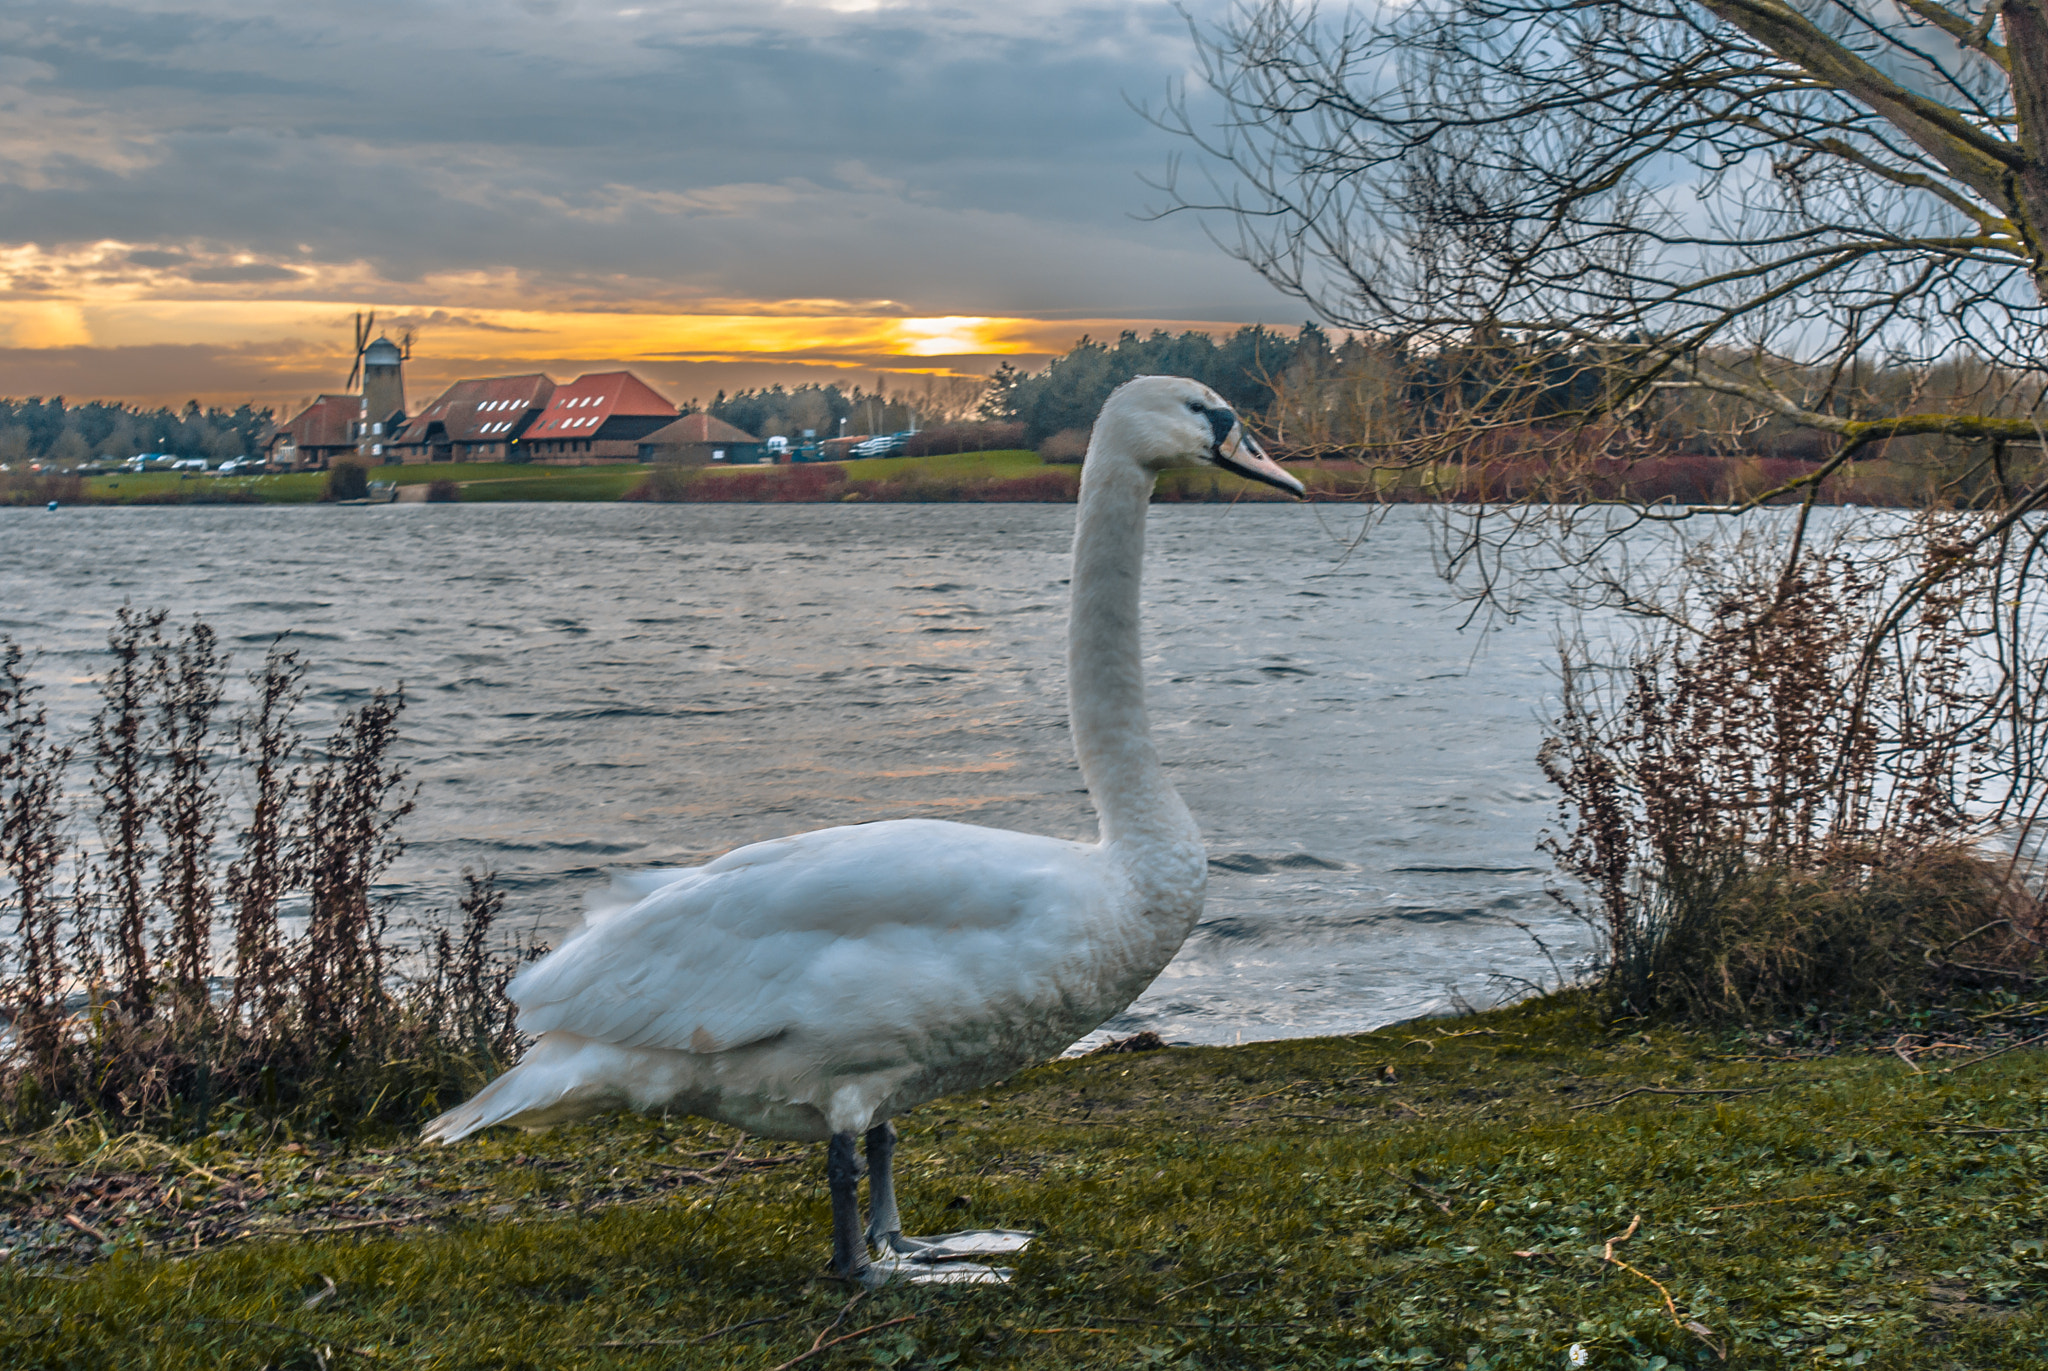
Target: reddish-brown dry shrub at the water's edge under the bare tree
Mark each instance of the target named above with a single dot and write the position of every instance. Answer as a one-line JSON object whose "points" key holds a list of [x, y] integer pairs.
{"points": [[1811, 792]]}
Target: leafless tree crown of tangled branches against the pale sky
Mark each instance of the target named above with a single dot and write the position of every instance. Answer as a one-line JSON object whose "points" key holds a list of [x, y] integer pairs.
{"points": [[1754, 200]]}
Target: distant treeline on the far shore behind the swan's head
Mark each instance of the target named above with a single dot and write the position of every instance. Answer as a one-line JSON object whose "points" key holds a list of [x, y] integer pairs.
{"points": [[1510, 399]]}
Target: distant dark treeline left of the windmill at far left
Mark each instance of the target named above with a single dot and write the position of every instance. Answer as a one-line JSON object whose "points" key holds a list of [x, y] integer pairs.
{"points": [[65, 433]]}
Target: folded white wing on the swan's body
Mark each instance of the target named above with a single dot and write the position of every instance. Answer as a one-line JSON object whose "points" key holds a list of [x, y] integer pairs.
{"points": [[839, 931]]}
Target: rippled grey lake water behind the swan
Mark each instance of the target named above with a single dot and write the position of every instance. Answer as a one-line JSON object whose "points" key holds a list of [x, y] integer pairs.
{"points": [[626, 685]]}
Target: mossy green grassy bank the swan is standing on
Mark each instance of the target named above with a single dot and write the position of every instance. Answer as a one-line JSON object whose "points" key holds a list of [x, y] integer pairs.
{"points": [[1428, 1196]]}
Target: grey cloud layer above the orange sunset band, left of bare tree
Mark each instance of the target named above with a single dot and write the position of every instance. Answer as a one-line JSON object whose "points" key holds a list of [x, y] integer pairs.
{"points": [[996, 171]]}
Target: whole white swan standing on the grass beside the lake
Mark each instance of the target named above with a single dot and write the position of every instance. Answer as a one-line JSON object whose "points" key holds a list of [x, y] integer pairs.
{"points": [[812, 989]]}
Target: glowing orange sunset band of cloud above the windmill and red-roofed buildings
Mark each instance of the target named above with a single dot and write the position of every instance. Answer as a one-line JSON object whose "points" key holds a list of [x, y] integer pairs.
{"points": [[280, 335]]}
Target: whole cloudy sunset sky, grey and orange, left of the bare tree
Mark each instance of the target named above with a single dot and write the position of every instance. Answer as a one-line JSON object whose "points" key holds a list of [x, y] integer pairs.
{"points": [[196, 198]]}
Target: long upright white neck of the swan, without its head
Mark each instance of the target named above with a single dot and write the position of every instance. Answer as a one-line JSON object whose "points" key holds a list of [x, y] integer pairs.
{"points": [[1144, 821]]}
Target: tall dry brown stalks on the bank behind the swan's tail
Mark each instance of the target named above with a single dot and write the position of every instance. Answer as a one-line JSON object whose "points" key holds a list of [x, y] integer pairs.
{"points": [[110, 974]]}
